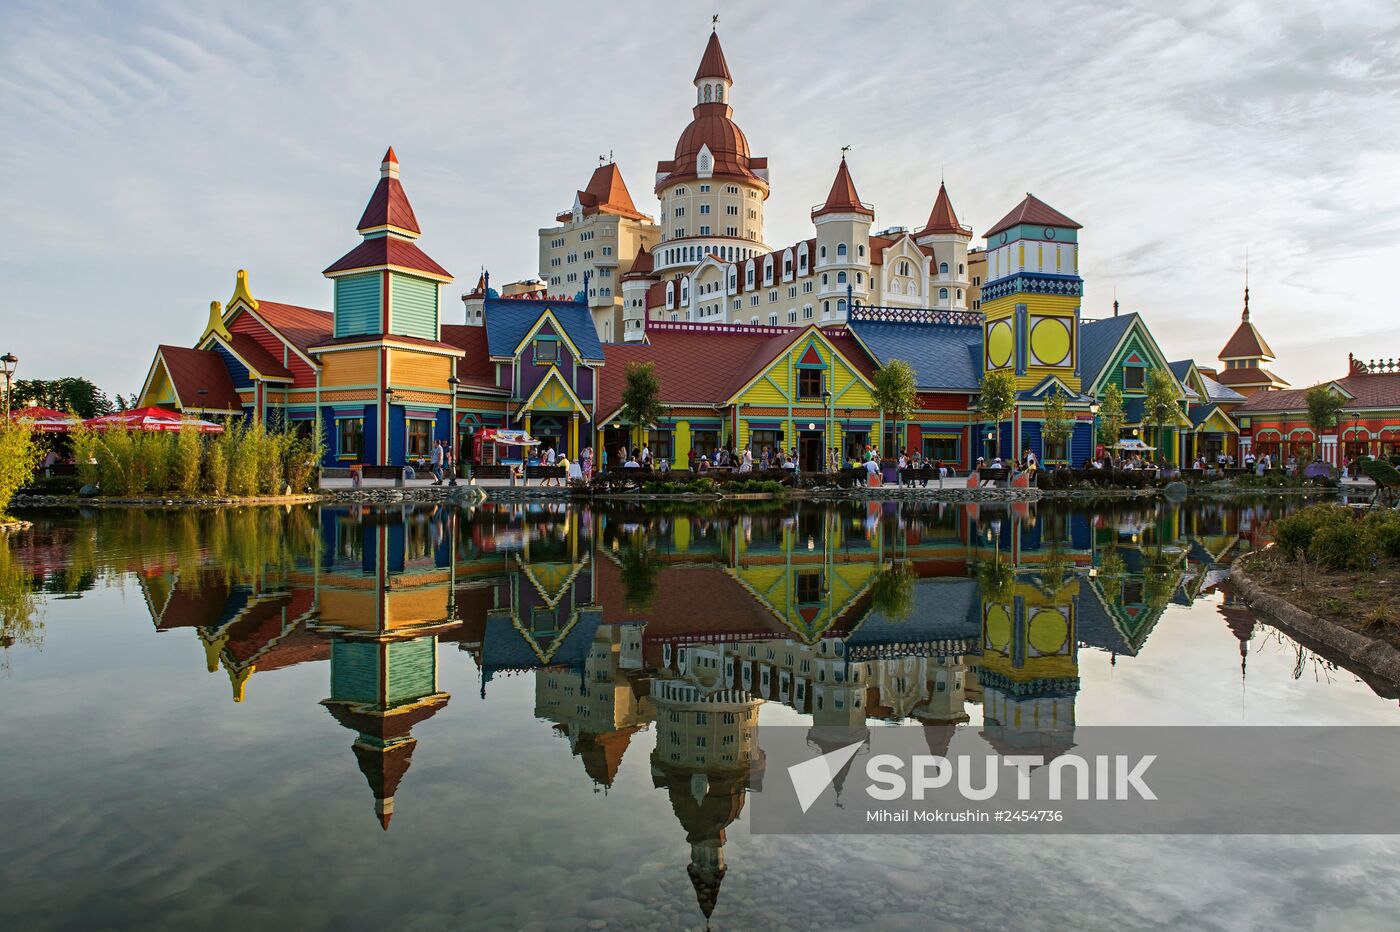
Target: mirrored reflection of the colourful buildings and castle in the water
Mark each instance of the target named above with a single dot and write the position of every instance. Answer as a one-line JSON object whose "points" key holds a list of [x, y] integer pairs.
{"points": [[685, 625]]}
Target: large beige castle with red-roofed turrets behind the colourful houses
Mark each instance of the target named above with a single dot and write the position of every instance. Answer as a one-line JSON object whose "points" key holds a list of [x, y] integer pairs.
{"points": [[706, 258]]}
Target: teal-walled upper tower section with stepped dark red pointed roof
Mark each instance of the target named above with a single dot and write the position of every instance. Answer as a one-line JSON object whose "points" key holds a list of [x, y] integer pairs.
{"points": [[387, 285]]}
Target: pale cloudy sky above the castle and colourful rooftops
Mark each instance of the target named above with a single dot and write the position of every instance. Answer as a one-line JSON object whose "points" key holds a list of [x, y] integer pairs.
{"points": [[157, 148]]}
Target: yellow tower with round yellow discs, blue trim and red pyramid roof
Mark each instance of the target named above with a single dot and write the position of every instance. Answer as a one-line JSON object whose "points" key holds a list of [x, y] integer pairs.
{"points": [[1032, 297]]}
